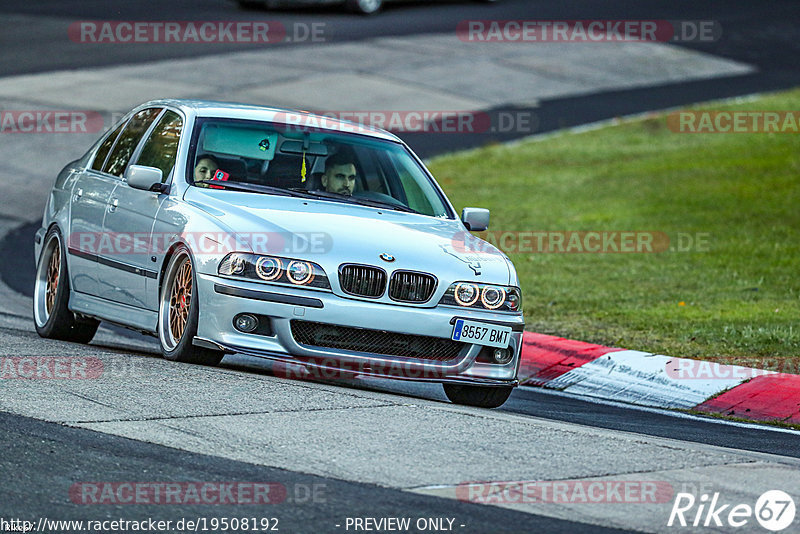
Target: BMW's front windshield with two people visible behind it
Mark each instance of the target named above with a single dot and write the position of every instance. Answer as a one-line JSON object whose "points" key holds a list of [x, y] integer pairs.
{"points": [[270, 158]]}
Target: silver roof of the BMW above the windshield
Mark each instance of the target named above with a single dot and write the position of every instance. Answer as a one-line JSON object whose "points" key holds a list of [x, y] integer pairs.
{"points": [[233, 110]]}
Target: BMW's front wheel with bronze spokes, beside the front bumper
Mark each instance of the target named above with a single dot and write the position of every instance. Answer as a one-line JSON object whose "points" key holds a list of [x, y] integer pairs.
{"points": [[181, 349]]}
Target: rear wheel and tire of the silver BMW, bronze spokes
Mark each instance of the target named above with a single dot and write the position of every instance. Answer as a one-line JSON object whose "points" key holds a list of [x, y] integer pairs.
{"points": [[51, 314]]}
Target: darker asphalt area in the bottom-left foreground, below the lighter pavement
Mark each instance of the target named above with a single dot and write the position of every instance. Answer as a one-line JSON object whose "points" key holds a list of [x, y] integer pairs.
{"points": [[46, 458]]}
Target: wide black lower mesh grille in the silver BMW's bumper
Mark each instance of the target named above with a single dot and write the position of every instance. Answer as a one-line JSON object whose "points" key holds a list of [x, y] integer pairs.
{"points": [[375, 341]]}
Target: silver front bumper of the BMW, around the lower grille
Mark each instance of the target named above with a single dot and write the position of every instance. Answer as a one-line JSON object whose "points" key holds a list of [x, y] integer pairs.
{"points": [[221, 299]]}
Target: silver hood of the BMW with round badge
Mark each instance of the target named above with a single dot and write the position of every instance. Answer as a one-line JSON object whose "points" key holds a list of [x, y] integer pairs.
{"points": [[331, 233]]}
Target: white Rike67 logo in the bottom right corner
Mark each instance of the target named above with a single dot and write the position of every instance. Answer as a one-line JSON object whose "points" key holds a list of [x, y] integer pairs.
{"points": [[774, 510]]}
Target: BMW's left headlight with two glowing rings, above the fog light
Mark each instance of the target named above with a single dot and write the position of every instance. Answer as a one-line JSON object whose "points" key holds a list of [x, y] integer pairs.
{"points": [[273, 269]]}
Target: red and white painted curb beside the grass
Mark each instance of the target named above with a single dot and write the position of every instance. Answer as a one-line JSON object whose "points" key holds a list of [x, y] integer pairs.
{"points": [[659, 381]]}
